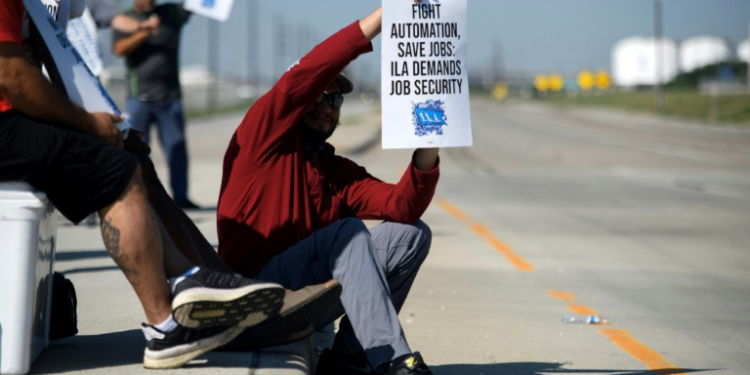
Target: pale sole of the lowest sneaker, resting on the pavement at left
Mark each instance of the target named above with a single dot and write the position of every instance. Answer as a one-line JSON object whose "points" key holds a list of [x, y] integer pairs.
{"points": [[178, 356]]}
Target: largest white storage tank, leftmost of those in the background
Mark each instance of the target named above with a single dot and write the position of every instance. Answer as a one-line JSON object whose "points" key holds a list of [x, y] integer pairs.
{"points": [[635, 63]]}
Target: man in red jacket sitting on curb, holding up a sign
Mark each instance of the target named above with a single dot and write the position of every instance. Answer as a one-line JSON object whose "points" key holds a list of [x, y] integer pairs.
{"points": [[291, 211]]}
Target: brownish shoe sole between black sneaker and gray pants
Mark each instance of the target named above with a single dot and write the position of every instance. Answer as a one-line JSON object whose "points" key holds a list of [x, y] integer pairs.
{"points": [[291, 325]]}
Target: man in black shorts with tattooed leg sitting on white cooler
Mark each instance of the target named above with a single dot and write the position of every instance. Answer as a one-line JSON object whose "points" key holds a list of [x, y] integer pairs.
{"points": [[76, 158]]}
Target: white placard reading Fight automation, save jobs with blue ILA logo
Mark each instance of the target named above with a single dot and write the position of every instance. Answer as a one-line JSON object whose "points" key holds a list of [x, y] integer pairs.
{"points": [[425, 85]]}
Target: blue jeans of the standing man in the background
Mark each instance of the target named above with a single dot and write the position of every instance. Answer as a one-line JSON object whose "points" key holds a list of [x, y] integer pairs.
{"points": [[170, 121]]}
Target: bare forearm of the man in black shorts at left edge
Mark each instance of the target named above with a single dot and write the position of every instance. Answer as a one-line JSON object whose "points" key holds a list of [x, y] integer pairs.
{"points": [[26, 89]]}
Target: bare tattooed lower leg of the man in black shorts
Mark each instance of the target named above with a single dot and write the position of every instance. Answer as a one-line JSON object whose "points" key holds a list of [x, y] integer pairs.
{"points": [[132, 236]]}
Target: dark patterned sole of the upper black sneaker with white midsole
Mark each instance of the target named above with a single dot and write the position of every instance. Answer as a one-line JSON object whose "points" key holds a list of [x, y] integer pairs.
{"points": [[200, 308]]}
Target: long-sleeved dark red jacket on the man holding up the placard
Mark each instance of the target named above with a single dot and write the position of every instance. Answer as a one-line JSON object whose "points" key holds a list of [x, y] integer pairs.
{"points": [[272, 196]]}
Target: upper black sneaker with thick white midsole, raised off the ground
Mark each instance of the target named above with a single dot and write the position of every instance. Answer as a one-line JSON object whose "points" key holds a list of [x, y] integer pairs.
{"points": [[209, 299]]}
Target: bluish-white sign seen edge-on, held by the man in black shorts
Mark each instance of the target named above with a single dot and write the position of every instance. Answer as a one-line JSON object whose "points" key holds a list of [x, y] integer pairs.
{"points": [[81, 85]]}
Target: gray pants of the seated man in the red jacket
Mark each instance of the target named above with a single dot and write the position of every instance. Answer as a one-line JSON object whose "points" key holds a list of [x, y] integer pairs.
{"points": [[376, 269]]}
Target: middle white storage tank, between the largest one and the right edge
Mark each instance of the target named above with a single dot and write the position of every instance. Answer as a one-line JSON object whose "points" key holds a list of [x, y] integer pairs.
{"points": [[701, 51]]}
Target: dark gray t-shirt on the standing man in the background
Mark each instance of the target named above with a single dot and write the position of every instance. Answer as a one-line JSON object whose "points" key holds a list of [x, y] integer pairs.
{"points": [[153, 67]]}
